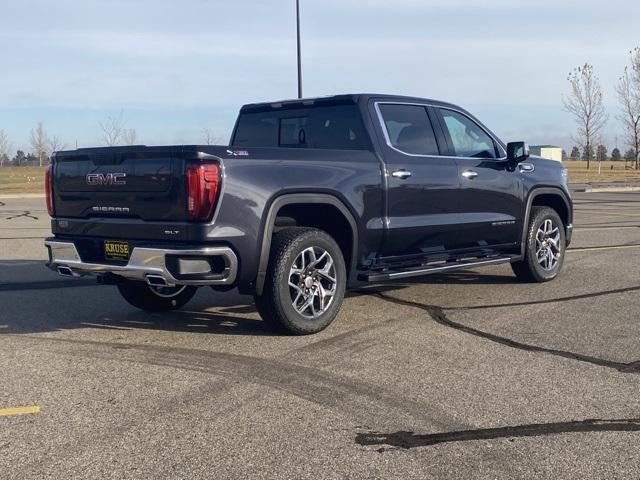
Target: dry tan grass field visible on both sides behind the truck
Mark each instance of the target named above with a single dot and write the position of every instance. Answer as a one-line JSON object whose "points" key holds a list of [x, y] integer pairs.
{"points": [[17, 180]]}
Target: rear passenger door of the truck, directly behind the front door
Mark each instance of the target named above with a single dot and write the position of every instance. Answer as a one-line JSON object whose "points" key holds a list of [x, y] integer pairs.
{"points": [[422, 185]]}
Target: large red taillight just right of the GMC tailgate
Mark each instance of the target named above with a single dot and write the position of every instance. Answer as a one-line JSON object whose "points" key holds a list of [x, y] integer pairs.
{"points": [[202, 190]]}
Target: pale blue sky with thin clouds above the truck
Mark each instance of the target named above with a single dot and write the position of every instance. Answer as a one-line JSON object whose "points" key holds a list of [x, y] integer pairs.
{"points": [[173, 67]]}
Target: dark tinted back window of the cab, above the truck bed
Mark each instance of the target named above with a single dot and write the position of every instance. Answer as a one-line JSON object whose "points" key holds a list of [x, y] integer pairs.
{"points": [[326, 127]]}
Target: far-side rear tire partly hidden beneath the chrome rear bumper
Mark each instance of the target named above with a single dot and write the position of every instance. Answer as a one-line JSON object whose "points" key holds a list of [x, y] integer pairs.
{"points": [[155, 299]]}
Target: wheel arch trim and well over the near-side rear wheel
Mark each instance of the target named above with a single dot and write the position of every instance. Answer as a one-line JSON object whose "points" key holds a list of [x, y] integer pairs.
{"points": [[287, 203]]}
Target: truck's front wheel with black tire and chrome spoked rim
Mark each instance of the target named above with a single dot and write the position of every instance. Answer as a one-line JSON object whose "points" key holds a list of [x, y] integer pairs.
{"points": [[530, 269]]}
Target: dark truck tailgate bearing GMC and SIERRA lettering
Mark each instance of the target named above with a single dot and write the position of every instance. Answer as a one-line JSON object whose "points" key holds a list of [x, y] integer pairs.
{"points": [[130, 182]]}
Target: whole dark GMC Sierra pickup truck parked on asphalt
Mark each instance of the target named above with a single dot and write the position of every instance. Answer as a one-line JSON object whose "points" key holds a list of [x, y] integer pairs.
{"points": [[311, 197]]}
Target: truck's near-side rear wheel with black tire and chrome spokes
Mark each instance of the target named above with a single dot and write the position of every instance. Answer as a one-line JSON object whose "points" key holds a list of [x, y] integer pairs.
{"points": [[275, 305]]}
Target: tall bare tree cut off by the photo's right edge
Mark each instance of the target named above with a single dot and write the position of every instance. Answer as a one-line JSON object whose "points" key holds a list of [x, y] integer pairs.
{"points": [[628, 91]]}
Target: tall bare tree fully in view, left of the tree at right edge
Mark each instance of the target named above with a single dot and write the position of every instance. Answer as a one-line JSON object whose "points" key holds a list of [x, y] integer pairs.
{"points": [[585, 103]]}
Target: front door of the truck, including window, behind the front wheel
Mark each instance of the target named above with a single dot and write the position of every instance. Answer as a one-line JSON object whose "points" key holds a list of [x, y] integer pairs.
{"points": [[489, 201]]}
